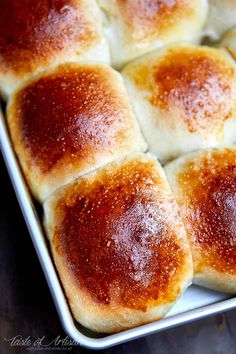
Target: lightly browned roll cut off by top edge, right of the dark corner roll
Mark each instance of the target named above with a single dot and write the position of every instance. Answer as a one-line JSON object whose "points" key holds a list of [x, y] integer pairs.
{"points": [[135, 27]]}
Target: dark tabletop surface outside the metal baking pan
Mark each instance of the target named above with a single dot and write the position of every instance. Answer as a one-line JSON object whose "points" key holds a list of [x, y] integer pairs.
{"points": [[27, 309]]}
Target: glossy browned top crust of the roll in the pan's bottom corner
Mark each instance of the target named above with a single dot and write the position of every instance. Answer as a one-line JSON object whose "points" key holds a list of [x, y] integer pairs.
{"points": [[119, 234]]}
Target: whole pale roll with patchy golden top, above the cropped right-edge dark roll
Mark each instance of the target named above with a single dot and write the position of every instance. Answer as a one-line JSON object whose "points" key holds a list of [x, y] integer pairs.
{"points": [[184, 97]]}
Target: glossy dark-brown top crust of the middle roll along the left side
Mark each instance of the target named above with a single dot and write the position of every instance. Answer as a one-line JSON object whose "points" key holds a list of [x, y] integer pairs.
{"points": [[70, 114]]}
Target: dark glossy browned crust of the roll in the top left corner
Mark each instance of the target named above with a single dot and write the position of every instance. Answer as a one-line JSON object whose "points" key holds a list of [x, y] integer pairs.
{"points": [[32, 32]]}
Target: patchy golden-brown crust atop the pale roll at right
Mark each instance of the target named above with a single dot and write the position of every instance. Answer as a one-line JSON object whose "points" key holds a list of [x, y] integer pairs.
{"points": [[201, 85]]}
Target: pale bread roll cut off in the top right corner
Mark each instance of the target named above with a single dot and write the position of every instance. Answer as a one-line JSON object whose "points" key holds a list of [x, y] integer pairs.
{"points": [[222, 16]]}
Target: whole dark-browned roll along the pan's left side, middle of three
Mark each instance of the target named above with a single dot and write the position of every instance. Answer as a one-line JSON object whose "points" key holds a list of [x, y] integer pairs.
{"points": [[69, 121]]}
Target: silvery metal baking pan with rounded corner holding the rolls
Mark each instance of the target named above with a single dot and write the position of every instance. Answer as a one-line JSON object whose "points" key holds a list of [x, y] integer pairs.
{"points": [[196, 302]]}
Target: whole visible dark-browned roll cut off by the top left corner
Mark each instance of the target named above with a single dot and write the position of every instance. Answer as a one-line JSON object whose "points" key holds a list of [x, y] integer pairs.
{"points": [[35, 35]]}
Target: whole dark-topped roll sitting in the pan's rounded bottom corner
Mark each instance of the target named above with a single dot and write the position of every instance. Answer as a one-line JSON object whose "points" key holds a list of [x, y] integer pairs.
{"points": [[119, 245]]}
